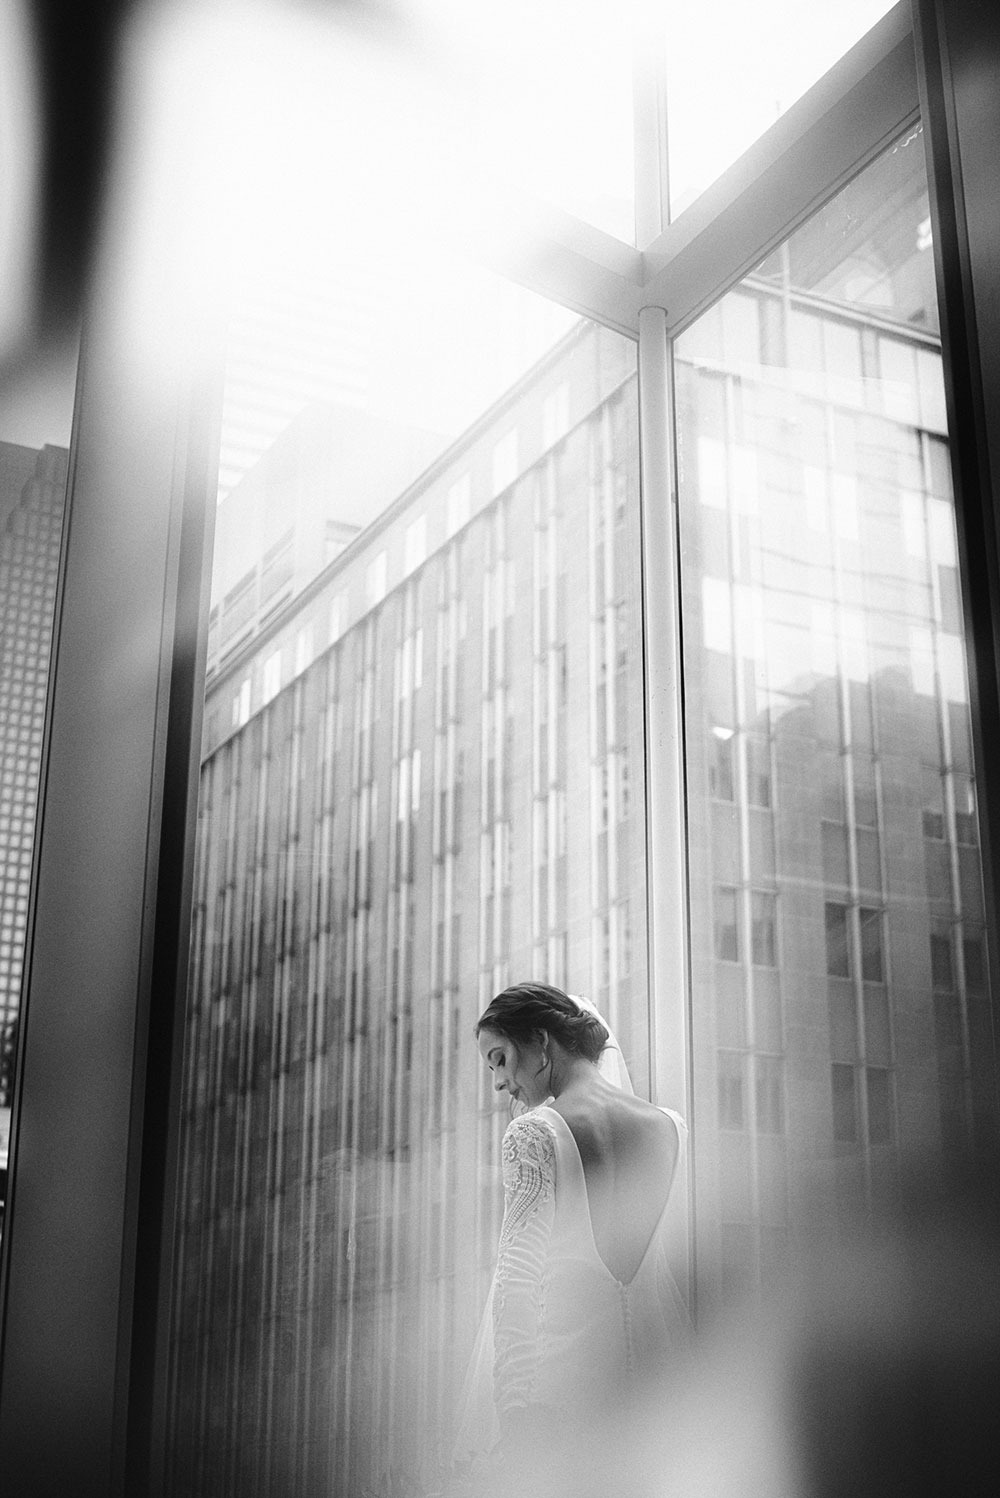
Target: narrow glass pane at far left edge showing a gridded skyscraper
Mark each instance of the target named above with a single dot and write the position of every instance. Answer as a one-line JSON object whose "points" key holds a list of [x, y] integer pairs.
{"points": [[35, 422]]}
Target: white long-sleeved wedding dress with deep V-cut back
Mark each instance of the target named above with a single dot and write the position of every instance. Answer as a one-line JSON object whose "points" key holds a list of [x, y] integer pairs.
{"points": [[561, 1331]]}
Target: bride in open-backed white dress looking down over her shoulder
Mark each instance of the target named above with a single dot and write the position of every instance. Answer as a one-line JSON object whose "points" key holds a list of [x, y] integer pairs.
{"points": [[583, 1314]]}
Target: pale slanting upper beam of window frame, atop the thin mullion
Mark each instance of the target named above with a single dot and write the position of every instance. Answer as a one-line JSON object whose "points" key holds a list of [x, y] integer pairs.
{"points": [[824, 140]]}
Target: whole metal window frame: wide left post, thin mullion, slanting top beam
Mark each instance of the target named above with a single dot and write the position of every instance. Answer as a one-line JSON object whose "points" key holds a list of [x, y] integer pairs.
{"points": [[86, 1253]]}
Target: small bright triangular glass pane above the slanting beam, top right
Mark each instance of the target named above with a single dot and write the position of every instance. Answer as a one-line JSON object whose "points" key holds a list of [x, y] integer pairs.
{"points": [[763, 59]]}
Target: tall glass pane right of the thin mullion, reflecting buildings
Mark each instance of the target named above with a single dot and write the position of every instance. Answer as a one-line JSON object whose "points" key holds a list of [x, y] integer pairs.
{"points": [[815, 522]]}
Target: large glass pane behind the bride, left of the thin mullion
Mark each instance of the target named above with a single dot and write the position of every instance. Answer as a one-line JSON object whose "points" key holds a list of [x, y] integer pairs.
{"points": [[423, 780]]}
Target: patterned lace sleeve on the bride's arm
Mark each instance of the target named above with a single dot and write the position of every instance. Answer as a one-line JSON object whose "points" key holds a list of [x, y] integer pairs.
{"points": [[529, 1189]]}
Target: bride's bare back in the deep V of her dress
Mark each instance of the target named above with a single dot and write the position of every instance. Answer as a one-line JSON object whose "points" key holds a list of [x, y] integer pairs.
{"points": [[629, 1153]]}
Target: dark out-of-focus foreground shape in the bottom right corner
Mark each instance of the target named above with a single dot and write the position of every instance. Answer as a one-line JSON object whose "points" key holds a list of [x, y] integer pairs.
{"points": [[896, 1370]]}
